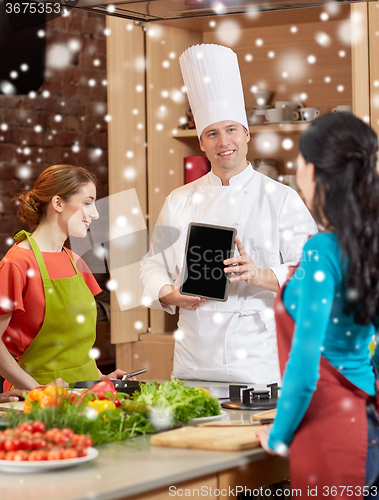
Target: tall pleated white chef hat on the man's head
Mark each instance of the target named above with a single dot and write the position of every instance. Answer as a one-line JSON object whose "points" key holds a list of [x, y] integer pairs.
{"points": [[212, 77]]}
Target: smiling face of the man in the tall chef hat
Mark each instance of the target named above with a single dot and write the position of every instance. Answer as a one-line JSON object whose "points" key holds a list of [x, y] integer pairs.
{"points": [[225, 144]]}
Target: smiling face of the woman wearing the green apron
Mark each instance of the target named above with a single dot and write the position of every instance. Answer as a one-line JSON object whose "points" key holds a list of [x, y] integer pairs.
{"points": [[79, 211]]}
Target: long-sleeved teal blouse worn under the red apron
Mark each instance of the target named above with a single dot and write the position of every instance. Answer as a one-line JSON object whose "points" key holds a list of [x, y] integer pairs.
{"points": [[315, 299]]}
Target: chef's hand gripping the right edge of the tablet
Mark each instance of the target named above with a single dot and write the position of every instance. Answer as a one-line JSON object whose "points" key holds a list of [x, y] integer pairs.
{"points": [[245, 269]]}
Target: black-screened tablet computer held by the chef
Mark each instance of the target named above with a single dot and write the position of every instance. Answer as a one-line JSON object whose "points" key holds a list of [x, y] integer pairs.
{"points": [[203, 270]]}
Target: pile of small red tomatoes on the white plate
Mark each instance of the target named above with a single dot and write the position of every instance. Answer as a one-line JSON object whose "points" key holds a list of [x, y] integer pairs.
{"points": [[30, 442]]}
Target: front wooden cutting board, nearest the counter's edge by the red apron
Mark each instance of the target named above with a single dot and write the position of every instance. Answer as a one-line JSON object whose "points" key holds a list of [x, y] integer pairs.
{"points": [[209, 438]]}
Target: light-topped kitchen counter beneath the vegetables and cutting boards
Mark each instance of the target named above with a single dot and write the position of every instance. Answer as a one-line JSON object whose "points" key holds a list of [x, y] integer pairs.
{"points": [[134, 469]]}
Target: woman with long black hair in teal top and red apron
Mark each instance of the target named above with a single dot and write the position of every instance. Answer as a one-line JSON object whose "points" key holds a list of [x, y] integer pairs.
{"points": [[326, 316]]}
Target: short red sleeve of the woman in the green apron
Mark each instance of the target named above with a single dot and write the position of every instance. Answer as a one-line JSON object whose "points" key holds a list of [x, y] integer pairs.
{"points": [[12, 285]]}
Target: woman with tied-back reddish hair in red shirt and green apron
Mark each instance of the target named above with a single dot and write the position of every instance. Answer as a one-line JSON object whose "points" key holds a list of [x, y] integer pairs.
{"points": [[47, 306]]}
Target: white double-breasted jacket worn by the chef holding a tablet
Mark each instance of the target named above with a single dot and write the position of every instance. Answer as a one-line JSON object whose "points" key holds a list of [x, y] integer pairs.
{"points": [[232, 341]]}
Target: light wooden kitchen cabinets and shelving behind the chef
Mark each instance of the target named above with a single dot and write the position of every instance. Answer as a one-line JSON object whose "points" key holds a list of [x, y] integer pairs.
{"points": [[277, 51]]}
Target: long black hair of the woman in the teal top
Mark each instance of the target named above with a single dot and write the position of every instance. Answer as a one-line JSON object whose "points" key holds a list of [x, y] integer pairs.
{"points": [[344, 150]]}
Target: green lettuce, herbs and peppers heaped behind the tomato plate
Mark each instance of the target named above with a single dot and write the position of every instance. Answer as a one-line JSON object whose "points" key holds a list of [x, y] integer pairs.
{"points": [[106, 415]]}
